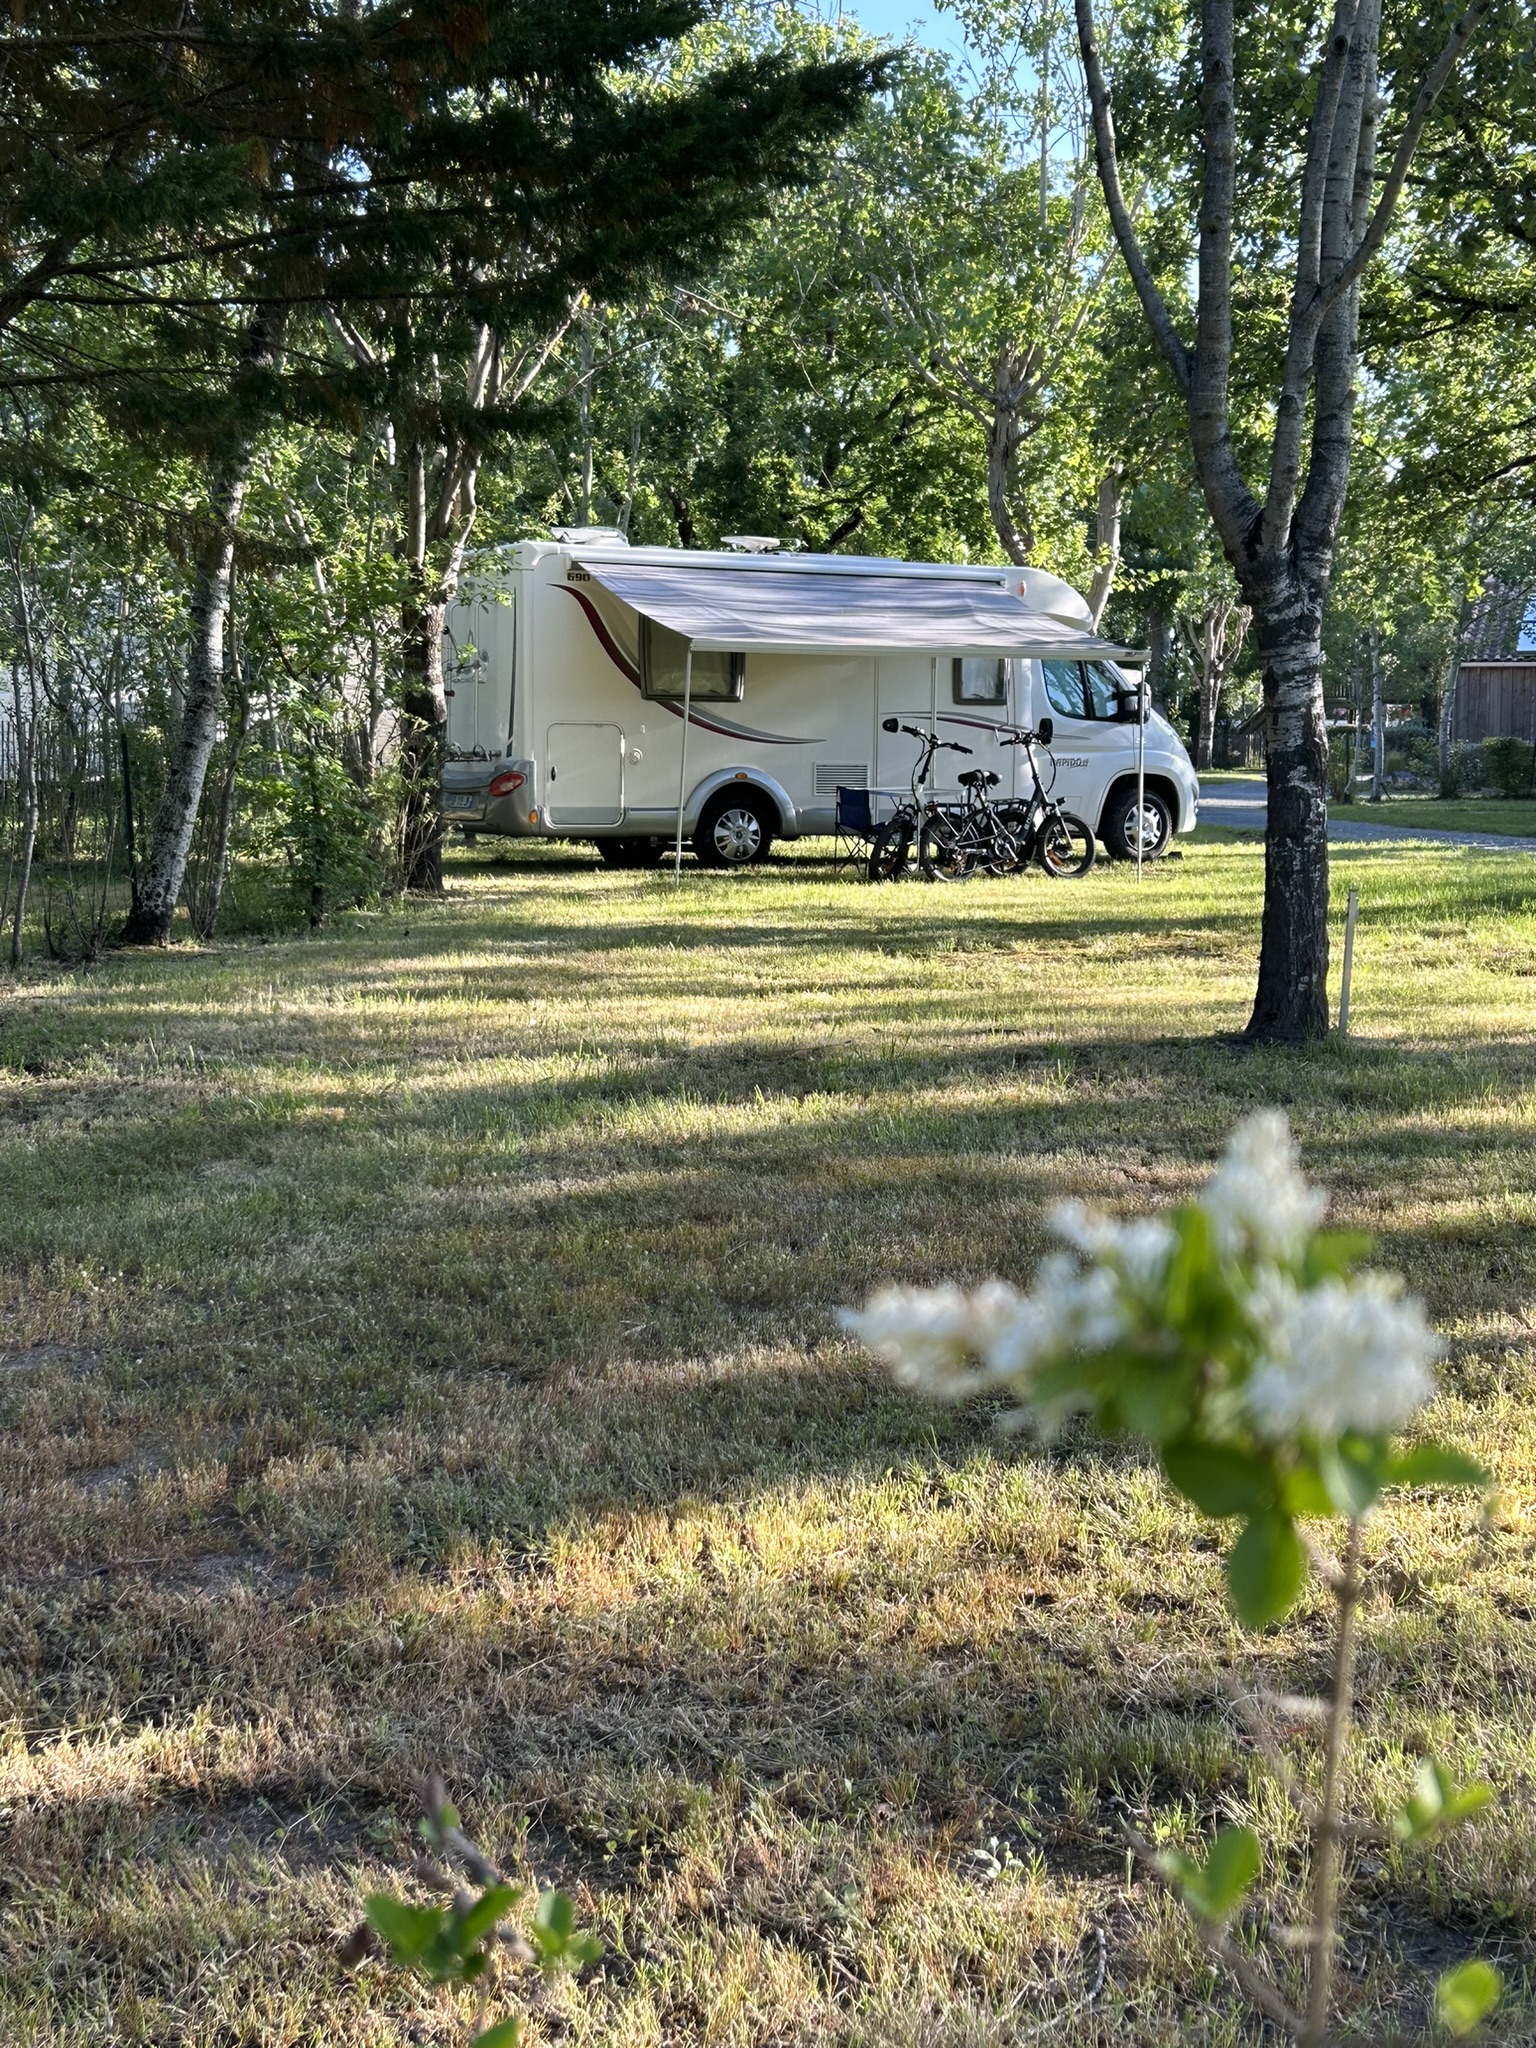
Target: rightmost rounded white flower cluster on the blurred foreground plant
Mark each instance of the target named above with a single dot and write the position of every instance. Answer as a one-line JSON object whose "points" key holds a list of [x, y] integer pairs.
{"points": [[1347, 1355]]}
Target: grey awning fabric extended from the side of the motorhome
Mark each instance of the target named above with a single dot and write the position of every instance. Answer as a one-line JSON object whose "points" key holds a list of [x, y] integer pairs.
{"points": [[746, 609]]}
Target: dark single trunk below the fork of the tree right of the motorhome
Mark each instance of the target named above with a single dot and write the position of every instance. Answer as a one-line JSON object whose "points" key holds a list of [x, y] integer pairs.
{"points": [[1291, 998]]}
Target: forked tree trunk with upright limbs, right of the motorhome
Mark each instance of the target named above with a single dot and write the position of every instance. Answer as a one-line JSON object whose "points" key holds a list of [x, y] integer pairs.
{"points": [[1281, 544]]}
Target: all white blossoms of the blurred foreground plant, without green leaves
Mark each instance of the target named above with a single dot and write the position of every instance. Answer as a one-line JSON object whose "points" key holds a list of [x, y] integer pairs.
{"points": [[1347, 1355]]}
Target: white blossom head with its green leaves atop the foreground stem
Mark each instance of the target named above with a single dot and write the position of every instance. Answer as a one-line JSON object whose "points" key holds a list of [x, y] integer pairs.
{"points": [[1234, 1334]]}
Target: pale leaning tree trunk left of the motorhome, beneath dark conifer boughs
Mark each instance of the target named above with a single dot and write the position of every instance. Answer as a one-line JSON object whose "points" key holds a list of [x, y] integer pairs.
{"points": [[165, 867]]}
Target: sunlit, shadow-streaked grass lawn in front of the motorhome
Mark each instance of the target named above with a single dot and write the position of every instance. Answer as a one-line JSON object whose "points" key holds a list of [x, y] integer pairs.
{"points": [[421, 1349]]}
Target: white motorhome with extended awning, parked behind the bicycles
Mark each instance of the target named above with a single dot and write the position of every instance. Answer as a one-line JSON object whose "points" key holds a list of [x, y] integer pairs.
{"points": [[570, 665]]}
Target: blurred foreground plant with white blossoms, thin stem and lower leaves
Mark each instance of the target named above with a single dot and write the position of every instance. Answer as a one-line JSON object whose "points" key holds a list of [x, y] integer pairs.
{"points": [[1271, 1375]]}
